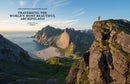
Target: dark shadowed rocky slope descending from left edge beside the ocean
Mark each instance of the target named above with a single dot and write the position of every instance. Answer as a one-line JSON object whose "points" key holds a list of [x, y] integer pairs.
{"points": [[11, 52]]}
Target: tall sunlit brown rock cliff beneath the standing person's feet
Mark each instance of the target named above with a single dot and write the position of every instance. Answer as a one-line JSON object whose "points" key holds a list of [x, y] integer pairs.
{"points": [[108, 59]]}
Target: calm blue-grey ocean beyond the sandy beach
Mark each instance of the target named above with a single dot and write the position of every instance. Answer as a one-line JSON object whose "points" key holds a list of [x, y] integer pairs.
{"points": [[24, 40]]}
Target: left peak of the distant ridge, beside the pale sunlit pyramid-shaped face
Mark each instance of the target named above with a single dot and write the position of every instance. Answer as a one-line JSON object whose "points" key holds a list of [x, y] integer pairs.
{"points": [[47, 36]]}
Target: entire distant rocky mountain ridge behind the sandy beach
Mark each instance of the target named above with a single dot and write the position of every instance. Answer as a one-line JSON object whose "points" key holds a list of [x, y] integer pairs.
{"points": [[64, 38]]}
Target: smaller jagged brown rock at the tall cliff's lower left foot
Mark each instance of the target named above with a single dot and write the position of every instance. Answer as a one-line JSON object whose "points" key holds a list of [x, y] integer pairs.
{"points": [[77, 73]]}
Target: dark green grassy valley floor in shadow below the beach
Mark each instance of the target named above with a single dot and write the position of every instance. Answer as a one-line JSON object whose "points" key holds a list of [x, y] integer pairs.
{"points": [[40, 71]]}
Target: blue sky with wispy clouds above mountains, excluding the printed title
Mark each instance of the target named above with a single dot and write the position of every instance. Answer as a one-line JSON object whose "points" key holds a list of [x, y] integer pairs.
{"points": [[78, 14]]}
